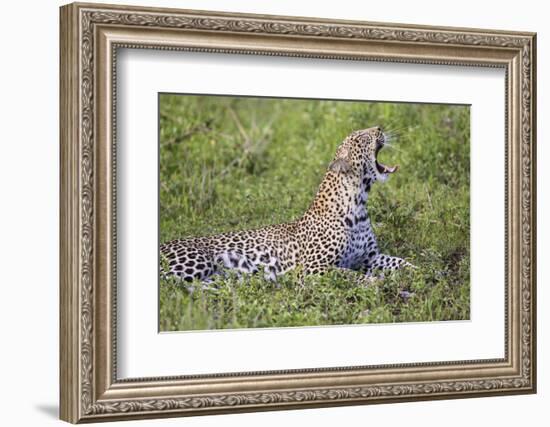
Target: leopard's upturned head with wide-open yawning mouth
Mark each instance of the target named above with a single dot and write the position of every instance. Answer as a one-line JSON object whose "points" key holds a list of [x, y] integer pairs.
{"points": [[358, 155]]}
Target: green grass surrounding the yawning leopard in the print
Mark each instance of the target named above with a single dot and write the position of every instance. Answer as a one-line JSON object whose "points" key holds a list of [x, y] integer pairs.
{"points": [[230, 163]]}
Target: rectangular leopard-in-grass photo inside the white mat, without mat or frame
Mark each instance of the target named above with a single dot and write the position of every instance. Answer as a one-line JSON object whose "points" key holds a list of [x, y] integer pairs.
{"points": [[303, 212]]}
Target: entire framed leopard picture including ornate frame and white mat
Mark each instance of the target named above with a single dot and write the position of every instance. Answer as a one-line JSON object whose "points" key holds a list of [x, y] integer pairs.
{"points": [[315, 218]]}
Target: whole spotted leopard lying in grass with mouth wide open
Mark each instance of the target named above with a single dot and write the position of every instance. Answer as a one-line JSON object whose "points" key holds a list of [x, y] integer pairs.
{"points": [[334, 232]]}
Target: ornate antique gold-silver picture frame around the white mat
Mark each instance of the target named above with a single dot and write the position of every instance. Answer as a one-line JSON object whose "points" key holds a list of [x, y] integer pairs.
{"points": [[90, 35]]}
